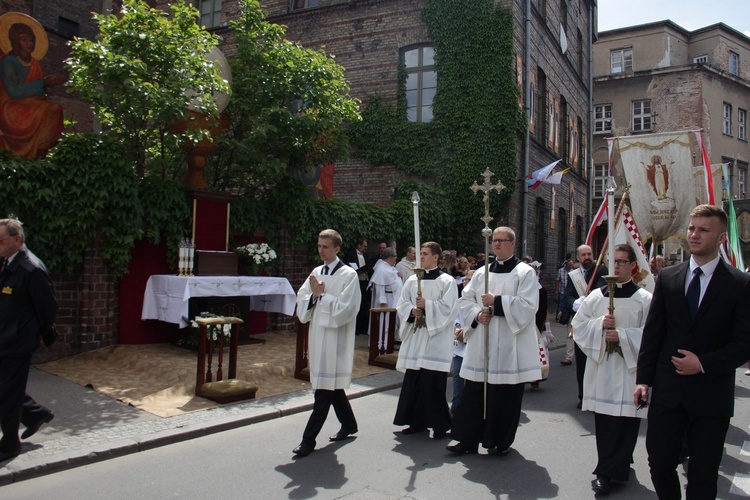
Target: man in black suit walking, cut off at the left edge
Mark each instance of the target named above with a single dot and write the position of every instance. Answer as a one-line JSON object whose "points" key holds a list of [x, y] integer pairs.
{"points": [[27, 310]]}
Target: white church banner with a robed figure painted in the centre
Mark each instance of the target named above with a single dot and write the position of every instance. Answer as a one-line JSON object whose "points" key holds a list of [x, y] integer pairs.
{"points": [[659, 170]]}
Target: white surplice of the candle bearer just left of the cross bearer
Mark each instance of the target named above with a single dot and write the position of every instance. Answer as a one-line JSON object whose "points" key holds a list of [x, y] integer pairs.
{"points": [[428, 347]]}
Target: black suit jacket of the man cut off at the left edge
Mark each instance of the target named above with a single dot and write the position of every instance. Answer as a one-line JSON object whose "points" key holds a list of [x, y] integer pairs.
{"points": [[27, 306]]}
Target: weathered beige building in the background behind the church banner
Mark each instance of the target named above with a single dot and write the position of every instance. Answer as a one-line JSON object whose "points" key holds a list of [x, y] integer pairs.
{"points": [[659, 77]]}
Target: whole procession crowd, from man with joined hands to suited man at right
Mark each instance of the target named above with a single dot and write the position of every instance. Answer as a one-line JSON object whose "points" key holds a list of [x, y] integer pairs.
{"points": [[669, 357]]}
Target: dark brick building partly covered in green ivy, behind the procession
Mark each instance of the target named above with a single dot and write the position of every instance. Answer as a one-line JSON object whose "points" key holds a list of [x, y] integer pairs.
{"points": [[552, 50]]}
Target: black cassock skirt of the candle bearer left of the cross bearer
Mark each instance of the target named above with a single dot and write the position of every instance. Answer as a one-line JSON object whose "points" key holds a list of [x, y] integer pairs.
{"points": [[422, 402]]}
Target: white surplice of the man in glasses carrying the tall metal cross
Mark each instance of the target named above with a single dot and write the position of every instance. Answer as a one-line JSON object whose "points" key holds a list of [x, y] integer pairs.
{"points": [[513, 344]]}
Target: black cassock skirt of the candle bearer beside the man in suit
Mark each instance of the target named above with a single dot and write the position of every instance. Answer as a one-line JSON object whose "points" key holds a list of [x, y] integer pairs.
{"points": [[615, 441]]}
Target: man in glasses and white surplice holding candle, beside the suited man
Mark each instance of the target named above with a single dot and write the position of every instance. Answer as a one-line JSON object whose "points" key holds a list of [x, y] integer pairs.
{"points": [[611, 343]]}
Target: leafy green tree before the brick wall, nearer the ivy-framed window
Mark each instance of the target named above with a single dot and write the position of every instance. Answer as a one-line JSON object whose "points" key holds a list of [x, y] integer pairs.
{"points": [[289, 108]]}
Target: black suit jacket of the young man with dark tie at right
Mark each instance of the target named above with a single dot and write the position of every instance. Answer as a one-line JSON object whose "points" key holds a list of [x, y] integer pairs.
{"points": [[719, 335]]}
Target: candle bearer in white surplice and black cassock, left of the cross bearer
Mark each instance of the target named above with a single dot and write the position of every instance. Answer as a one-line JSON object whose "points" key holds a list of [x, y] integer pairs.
{"points": [[427, 325]]}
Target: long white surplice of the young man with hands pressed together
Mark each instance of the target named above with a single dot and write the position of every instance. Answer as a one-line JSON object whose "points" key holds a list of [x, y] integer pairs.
{"points": [[332, 327]]}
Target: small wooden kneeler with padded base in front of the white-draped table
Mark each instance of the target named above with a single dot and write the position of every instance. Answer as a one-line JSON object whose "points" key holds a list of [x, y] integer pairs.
{"points": [[220, 390]]}
